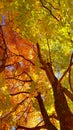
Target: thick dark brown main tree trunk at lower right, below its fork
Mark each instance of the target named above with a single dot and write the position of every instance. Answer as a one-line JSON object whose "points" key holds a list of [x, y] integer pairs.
{"points": [[61, 106]]}
